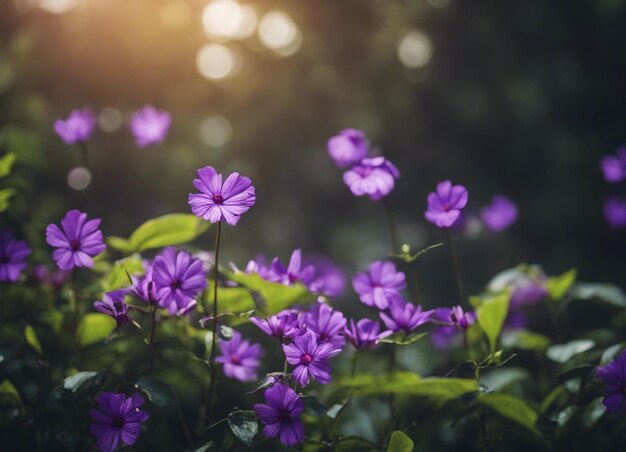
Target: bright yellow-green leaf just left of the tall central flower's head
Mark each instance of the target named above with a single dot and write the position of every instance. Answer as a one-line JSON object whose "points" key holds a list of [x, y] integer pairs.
{"points": [[168, 230]]}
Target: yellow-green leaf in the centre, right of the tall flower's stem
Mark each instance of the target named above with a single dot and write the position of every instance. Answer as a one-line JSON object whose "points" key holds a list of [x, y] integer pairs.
{"points": [[276, 296]]}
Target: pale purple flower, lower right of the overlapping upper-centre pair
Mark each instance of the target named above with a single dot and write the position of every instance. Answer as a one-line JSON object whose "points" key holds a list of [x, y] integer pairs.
{"points": [[374, 177]]}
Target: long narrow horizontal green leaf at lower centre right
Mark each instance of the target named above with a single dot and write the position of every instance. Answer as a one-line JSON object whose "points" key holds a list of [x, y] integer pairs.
{"points": [[408, 383]]}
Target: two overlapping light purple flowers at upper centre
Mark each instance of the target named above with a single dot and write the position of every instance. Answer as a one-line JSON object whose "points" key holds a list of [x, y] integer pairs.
{"points": [[372, 176]]}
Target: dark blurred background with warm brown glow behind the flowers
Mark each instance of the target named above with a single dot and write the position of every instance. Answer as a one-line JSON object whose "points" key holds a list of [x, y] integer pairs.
{"points": [[519, 98]]}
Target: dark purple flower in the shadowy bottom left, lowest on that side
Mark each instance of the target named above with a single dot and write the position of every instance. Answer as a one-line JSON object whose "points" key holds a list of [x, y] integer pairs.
{"points": [[117, 420]]}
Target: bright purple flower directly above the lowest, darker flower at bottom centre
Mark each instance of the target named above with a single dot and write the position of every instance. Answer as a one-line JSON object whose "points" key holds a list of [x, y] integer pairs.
{"points": [[309, 358]]}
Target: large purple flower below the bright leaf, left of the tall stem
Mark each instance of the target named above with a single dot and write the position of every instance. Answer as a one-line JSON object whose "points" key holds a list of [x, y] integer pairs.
{"points": [[178, 279]]}
